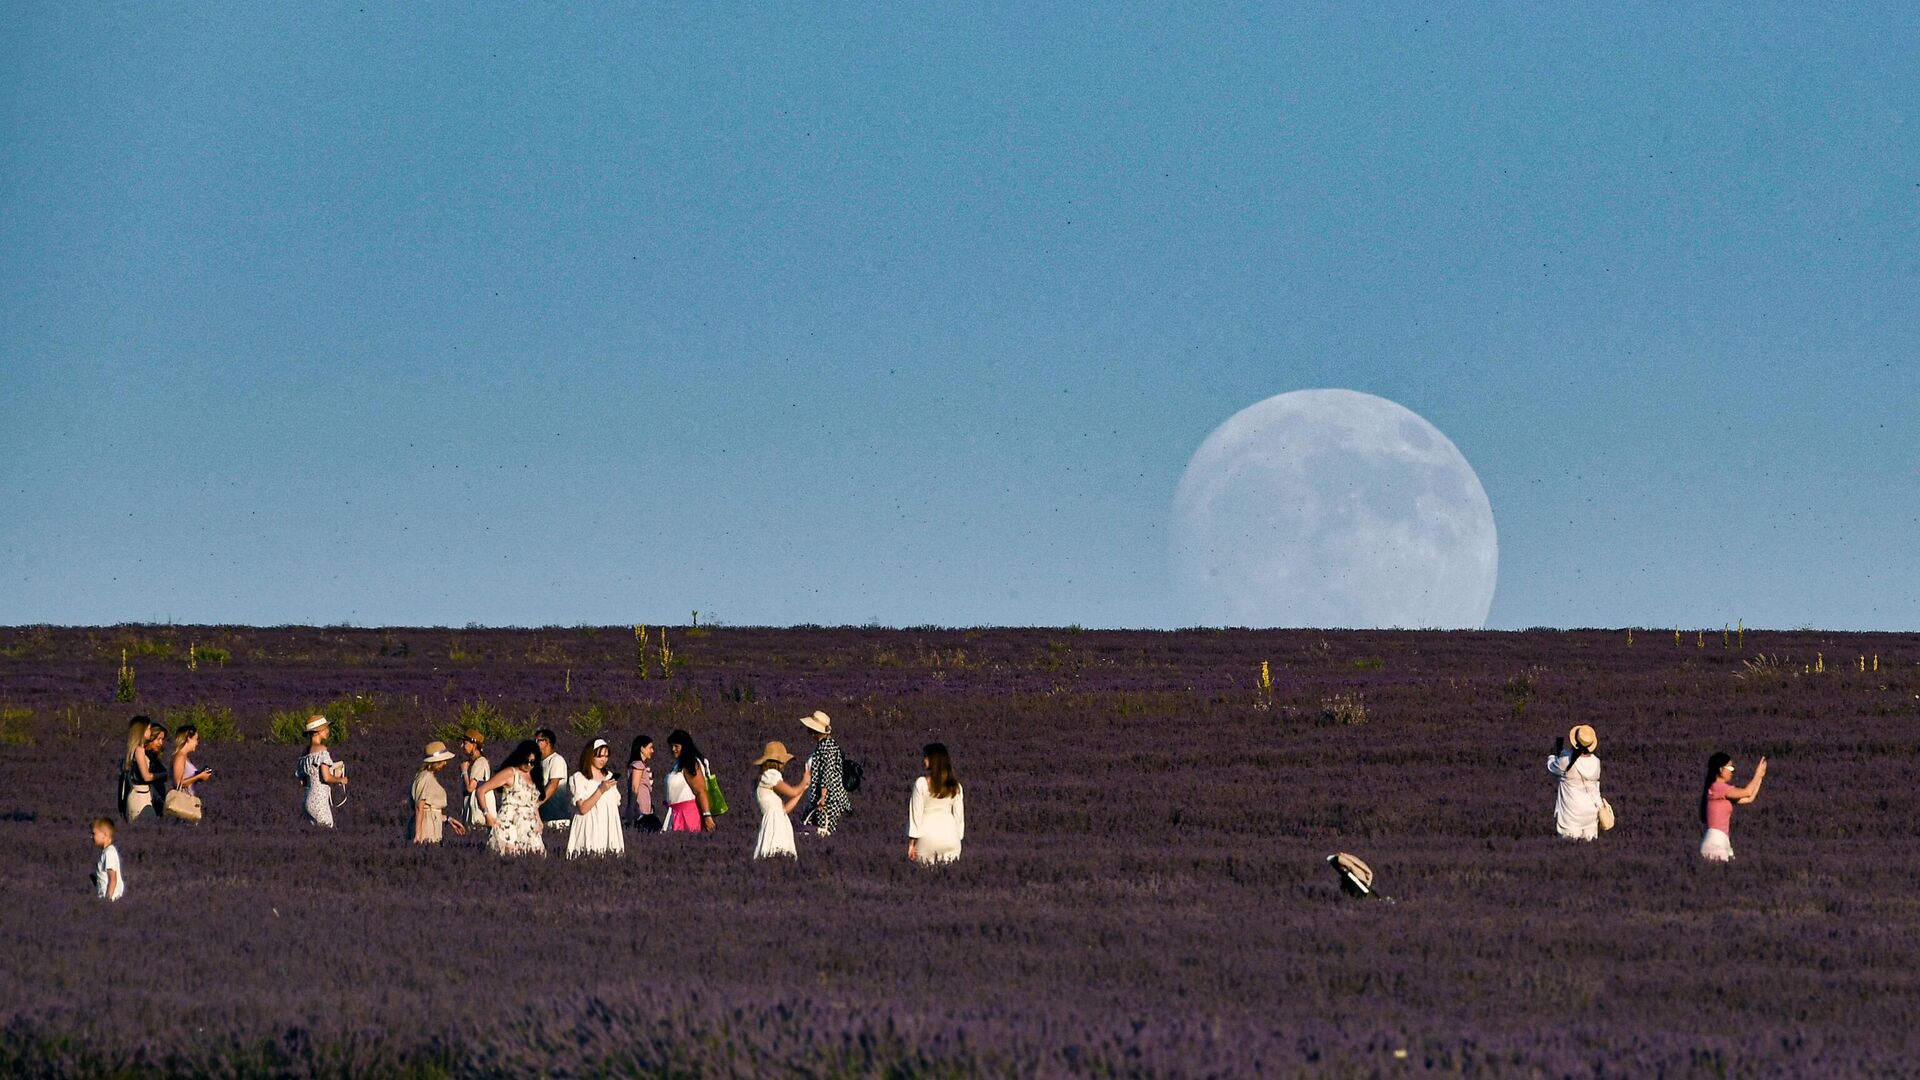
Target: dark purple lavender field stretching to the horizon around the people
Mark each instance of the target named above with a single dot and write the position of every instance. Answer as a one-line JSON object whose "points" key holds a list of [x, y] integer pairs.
{"points": [[1143, 887]]}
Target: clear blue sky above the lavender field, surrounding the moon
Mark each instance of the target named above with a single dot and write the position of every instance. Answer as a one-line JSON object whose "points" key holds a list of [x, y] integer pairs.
{"points": [[429, 314]]}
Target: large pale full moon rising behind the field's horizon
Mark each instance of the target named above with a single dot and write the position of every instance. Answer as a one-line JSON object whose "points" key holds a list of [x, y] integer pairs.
{"points": [[1333, 508]]}
